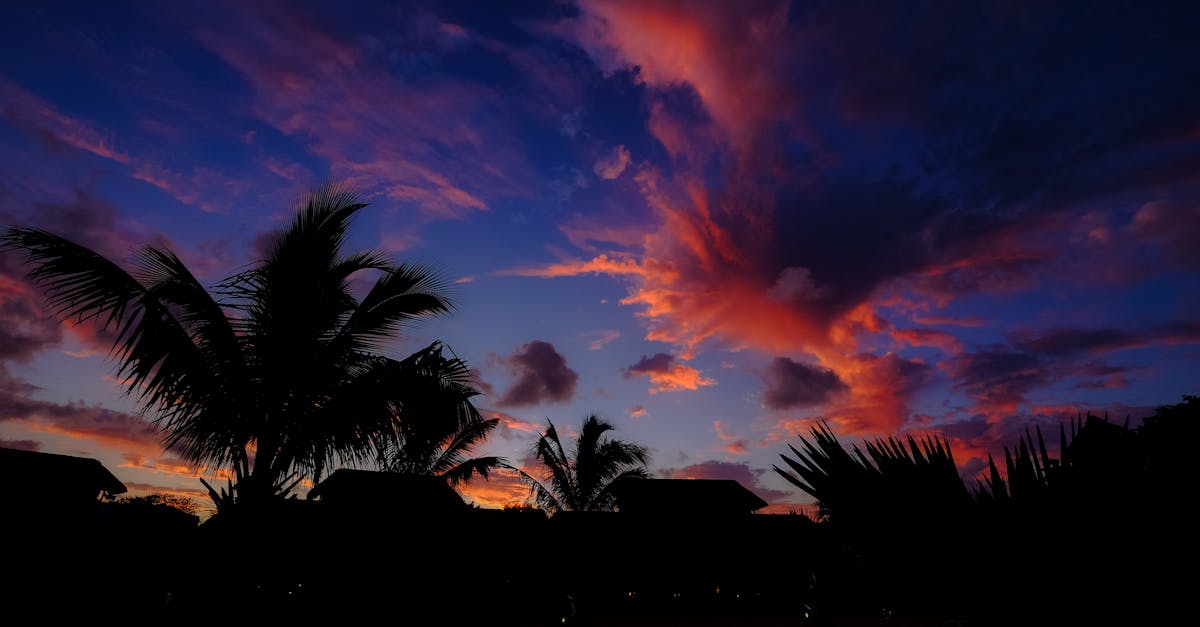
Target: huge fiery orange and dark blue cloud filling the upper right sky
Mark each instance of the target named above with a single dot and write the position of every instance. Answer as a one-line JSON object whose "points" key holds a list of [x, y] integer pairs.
{"points": [[781, 224]]}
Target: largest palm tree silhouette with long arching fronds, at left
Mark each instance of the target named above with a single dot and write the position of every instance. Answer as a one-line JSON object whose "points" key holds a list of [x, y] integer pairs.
{"points": [[277, 374]]}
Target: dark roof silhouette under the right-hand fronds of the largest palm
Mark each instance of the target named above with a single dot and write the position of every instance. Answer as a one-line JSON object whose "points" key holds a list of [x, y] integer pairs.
{"points": [[365, 488]]}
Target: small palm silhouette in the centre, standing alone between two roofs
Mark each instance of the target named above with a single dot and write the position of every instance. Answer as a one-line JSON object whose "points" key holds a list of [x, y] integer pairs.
{"points": [[584, 481]]}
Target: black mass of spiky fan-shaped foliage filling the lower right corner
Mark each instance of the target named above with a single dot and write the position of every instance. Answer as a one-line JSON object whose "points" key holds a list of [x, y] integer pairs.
{"points": [[1099, 533]]}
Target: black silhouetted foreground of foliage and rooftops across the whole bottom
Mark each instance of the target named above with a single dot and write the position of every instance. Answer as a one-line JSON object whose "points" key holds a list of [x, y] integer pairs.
{"points": [[1088, 527]]}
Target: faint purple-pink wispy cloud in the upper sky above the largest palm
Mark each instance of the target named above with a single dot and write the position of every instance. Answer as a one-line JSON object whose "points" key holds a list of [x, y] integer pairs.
{"points": [[370, 105]]}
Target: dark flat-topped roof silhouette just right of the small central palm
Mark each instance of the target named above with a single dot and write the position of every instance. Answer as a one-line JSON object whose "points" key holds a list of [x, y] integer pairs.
{"points": [[686, 497]]}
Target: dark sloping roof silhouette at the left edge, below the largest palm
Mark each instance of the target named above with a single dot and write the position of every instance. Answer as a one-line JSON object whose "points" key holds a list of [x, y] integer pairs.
{"points": [[34, 476]]}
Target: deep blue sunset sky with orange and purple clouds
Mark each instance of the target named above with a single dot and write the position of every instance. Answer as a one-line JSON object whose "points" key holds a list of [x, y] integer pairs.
{"points": [[711, 224]]}
